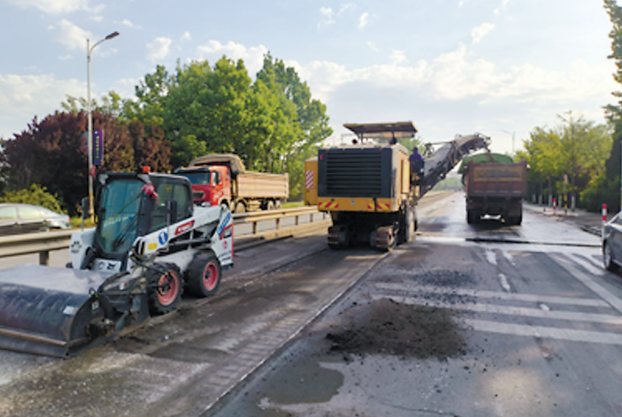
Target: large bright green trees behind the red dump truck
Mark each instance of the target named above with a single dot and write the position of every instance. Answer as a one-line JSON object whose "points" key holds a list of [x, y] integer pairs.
{"points": [[273, 124]]}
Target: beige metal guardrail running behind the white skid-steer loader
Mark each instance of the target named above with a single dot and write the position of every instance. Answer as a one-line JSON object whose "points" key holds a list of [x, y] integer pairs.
{"points": [[44, 242]]}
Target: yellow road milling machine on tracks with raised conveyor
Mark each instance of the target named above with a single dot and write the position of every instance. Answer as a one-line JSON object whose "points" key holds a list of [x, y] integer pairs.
{"points": [[368, 187]]}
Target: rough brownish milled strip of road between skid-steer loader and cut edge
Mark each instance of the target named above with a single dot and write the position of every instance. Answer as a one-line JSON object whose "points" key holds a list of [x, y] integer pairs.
{"points": [[183, 362]]}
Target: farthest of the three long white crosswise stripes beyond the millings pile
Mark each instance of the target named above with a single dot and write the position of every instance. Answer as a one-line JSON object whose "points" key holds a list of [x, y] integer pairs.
{"points": [[589, 302]]}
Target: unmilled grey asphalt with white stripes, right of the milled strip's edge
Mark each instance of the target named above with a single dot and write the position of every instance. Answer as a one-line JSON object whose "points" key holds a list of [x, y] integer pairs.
{"points": [[458, 323]]}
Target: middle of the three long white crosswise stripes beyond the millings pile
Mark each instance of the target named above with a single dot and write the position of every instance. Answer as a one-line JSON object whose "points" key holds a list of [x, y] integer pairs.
{"points": [[509, 310]]}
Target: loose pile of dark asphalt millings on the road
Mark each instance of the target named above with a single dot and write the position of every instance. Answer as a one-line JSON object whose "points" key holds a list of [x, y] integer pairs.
{"points": [[391, 328]]}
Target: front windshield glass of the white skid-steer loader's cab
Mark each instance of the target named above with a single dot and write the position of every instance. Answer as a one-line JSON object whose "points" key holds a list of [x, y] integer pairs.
{"points": [[118, 215]]}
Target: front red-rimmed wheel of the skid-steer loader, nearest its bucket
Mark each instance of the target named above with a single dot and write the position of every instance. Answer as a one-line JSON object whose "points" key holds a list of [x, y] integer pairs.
{"points": [[165, 288]]}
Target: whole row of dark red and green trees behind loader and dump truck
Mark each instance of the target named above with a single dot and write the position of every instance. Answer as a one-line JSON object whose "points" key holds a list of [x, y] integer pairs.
{"points": [[273, 124]]}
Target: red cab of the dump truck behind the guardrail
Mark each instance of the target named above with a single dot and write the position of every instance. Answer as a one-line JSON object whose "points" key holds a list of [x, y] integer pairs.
{"points": [[211, 186]]}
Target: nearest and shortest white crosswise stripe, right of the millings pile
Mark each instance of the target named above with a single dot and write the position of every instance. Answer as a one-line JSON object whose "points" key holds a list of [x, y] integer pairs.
{"points": [[544, 332]]}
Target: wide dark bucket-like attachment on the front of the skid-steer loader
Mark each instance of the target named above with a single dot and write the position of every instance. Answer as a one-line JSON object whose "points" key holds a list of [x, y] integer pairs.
{"points": [[61, 311]]}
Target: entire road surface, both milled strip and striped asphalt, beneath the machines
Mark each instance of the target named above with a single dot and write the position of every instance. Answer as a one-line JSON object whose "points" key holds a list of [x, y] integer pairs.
{"points": [[467, 320]]}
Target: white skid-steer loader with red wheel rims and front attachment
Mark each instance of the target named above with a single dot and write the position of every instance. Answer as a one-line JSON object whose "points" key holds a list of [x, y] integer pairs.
{"points": [[149, 243]]}
